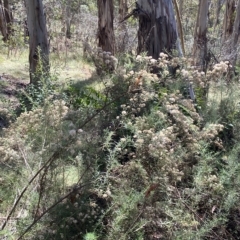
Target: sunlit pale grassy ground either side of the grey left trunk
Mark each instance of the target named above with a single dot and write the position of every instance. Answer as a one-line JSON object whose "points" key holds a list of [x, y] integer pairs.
{"points": [[14, 75]]}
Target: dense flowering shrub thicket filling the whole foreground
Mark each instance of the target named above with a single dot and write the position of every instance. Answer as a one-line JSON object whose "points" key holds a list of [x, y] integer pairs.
{"points": [[144, 156]]}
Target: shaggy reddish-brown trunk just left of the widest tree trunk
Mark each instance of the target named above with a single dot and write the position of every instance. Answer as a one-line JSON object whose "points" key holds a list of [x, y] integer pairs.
{"points": [[105, 26]]}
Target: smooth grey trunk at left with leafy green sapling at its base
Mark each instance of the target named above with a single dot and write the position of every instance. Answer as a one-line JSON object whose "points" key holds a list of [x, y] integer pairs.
{"points": [[38, 44]]}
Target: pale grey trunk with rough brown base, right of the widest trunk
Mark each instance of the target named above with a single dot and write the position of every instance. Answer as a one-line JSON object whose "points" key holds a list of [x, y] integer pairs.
{"points": [[200, 37]]}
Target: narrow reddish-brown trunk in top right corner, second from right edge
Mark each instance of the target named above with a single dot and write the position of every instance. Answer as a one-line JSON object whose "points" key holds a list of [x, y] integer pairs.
{"points": [[228, 19]]}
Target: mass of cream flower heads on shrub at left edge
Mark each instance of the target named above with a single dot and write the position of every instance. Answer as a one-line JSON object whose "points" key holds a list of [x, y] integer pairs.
{"points": [[45, 123]]}
